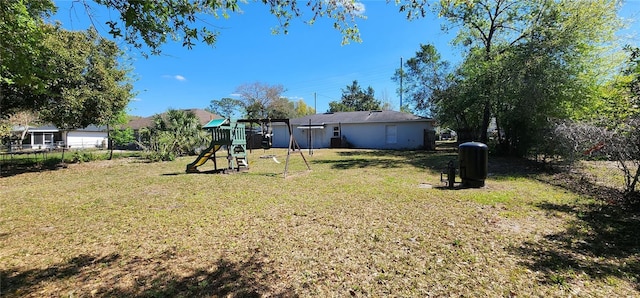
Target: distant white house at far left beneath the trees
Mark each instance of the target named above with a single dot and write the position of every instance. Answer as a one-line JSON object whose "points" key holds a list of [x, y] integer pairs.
{"points": [[49, 137]]}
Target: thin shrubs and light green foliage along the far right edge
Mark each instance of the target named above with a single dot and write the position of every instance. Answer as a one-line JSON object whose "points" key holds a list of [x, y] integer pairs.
{"points": [[615, 132]]}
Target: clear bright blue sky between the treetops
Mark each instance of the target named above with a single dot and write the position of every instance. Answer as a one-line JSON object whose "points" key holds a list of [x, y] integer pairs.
{"points": [[309, 60]]}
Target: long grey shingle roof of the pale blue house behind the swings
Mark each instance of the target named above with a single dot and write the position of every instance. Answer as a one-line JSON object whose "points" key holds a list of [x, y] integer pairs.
{"points": [[358, 117]]}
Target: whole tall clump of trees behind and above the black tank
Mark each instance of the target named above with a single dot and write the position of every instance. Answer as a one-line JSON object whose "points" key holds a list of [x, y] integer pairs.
{"points": [[526, 63]]}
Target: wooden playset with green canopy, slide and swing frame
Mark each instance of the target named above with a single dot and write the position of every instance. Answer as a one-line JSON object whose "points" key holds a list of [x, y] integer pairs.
{"points": [[231, 135]]}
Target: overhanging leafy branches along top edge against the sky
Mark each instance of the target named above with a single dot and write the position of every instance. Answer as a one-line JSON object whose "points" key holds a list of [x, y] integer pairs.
{"points": [[153, 23]]}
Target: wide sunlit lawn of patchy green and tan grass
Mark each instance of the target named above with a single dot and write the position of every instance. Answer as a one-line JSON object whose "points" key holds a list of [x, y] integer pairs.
{"points": [[361, 223]]}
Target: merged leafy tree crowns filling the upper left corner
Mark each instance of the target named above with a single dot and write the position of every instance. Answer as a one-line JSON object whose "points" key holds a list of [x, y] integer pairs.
{"points": [[72, 79]]}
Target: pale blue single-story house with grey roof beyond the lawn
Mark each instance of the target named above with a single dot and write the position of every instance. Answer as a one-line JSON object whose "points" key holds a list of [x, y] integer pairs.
{"points": [[362, 129]]}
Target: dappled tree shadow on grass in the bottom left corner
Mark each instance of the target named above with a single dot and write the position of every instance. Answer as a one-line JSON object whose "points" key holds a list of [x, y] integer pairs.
{"points": [[147, 277]]}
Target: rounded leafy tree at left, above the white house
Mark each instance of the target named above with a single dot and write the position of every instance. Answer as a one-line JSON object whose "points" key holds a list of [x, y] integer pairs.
{"points": [[86, 83]]}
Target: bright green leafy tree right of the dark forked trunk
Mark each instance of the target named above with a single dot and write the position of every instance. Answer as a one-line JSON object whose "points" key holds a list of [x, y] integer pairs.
{"points": [[555, 73]]}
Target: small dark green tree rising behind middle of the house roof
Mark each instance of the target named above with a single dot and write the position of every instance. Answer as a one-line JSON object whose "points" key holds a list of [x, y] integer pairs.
{"points": [[355, 99]]}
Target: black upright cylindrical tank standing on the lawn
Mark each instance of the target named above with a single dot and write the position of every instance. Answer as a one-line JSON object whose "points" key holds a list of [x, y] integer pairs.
{"points": [[474, 159]]}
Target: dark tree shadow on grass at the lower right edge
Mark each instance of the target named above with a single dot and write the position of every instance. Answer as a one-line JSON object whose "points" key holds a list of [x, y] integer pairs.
{"points": [[600, 242]]}
